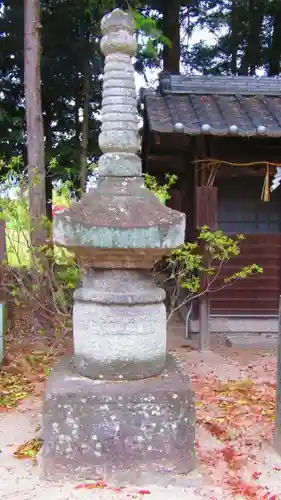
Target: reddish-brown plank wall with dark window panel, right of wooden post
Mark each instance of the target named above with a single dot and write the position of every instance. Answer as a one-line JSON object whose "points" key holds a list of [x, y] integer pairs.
{"points": [[240, 209]]}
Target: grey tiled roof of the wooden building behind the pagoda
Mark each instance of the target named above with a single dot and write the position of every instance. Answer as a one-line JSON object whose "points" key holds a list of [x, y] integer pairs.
{"points": [[216, 105]]}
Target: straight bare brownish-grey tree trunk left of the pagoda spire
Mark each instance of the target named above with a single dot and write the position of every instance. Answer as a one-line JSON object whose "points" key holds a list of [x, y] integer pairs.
{"points": [[34, 121]]}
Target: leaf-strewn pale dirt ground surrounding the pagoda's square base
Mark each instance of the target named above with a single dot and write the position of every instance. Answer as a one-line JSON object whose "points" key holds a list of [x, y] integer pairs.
{"points": [[235, 402]]}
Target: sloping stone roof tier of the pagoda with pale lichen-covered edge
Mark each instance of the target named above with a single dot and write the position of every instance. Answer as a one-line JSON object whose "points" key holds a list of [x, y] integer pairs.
{"points": [[120, 213]]}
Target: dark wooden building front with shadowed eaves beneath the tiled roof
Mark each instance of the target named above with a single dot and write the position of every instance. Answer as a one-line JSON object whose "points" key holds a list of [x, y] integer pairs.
{"points": [[258, 294]]}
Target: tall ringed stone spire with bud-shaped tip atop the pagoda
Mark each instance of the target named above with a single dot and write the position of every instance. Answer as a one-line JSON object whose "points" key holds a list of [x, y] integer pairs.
{"points": [[119, 134]]}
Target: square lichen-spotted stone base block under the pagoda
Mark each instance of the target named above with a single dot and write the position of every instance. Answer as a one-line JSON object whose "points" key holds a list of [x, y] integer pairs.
{"points": [[133, 432]]}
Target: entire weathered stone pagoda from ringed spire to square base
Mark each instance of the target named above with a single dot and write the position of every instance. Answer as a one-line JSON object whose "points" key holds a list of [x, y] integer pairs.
{"points": [[119, 410]]}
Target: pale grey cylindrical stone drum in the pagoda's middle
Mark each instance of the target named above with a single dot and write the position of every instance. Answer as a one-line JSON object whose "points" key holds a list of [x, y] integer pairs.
{"points": [[119, 326]]}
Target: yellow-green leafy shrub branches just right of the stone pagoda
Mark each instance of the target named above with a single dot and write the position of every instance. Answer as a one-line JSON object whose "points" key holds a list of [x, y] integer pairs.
{"points": [[202, 261]]}
